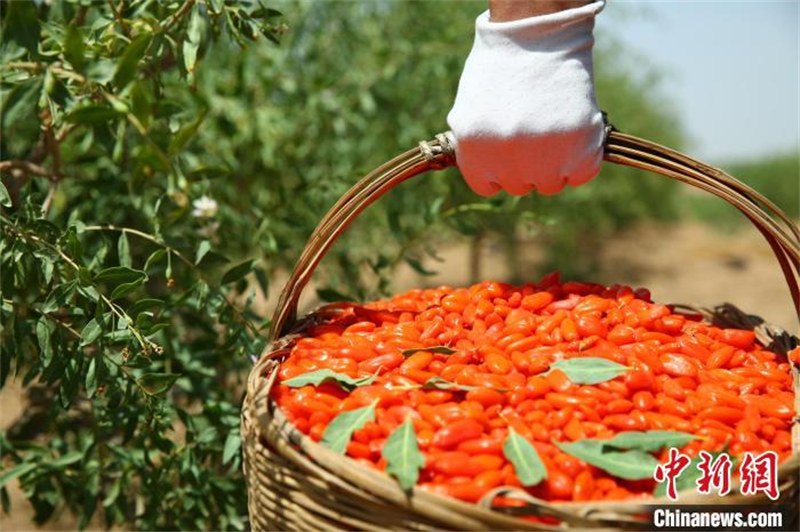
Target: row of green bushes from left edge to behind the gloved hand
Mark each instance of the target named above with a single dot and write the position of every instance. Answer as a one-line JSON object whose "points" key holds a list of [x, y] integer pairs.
{"points": [[161, 162]]}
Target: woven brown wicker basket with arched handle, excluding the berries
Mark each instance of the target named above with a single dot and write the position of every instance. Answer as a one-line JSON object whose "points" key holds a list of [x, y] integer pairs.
{"points": [[296, 484]]}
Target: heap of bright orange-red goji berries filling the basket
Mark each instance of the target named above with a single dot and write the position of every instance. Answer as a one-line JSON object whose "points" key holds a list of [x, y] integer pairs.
{"points": [[498, 341]]}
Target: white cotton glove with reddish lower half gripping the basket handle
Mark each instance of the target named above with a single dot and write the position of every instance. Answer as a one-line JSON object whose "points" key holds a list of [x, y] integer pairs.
{"points": [[525, 116]]}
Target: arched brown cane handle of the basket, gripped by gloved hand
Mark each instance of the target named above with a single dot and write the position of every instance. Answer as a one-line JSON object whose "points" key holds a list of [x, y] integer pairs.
{"points": [[780, 232]]}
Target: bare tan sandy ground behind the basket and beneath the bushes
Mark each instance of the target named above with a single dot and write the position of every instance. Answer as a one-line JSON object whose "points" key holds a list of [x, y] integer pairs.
{"points": [[686, 263]]}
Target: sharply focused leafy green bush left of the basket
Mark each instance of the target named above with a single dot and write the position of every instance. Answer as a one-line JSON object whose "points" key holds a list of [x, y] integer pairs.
{"points": [[113, 307]]}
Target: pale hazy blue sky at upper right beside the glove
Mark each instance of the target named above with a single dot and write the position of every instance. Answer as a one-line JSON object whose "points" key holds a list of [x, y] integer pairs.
{"points": [[733, 69]]}
